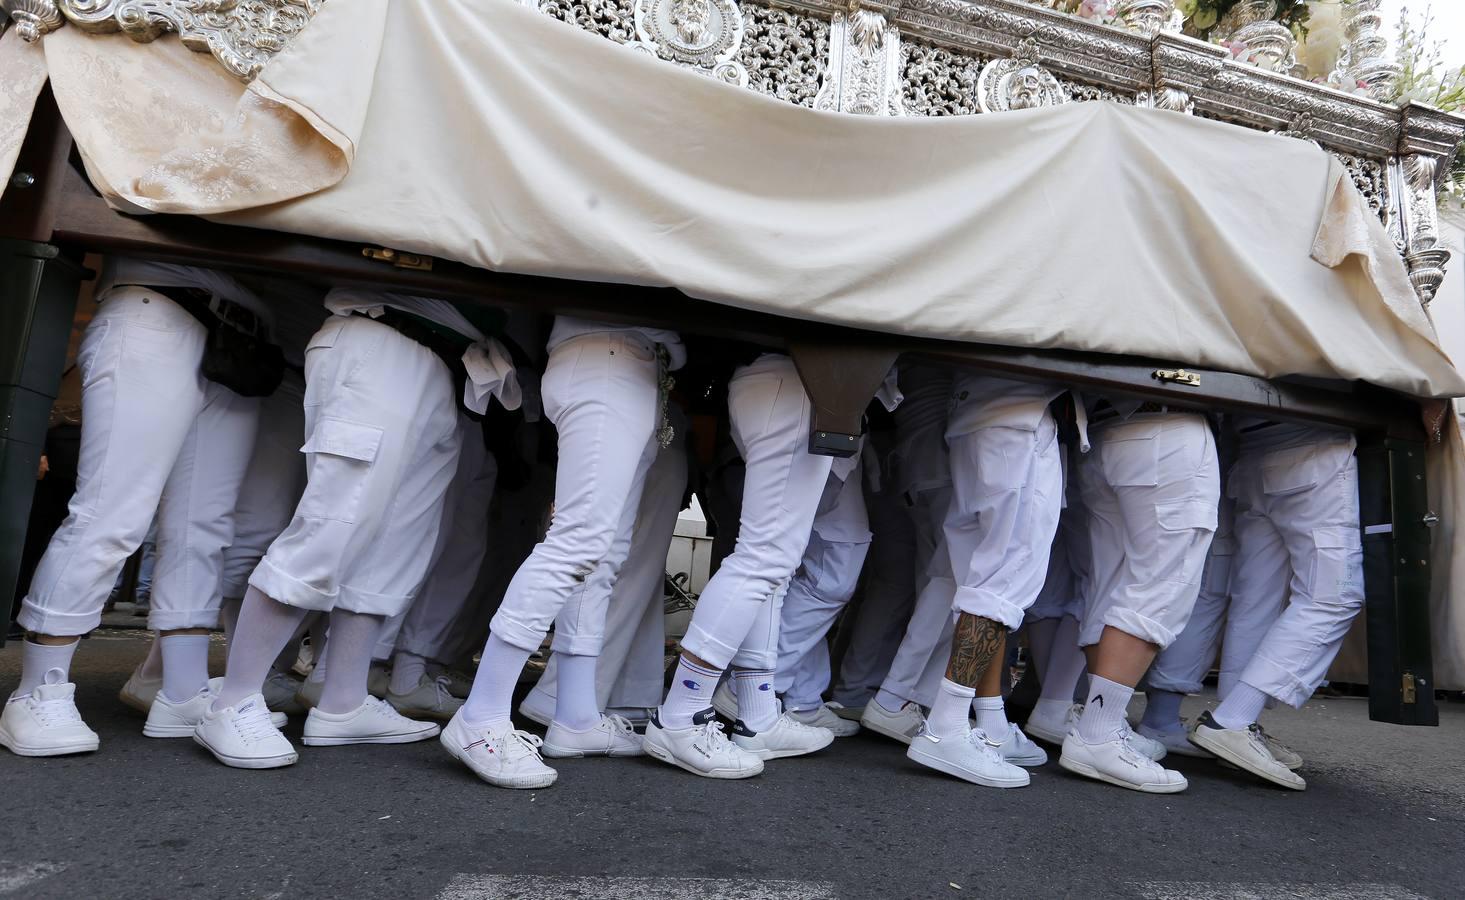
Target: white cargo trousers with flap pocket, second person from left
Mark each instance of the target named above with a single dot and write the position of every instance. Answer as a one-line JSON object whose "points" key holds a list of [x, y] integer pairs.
{"points": [[382, 448]]}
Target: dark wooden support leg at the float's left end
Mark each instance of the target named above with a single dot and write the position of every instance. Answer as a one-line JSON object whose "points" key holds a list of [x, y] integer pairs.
{"points": [[37, 304]]}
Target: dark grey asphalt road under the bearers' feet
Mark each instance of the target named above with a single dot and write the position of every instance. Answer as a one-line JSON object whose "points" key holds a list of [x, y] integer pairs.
{"points": [[1384, 819]]}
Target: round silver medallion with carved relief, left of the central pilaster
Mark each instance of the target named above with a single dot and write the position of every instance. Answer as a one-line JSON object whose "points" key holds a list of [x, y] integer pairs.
{"points": [[704, 36]]}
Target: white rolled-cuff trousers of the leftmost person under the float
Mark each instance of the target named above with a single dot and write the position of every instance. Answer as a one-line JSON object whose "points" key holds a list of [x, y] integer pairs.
{"points": [[156, 438]]}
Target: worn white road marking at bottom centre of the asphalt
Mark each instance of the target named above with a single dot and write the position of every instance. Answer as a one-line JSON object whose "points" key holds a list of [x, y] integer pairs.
{"points": [[547, 888]]}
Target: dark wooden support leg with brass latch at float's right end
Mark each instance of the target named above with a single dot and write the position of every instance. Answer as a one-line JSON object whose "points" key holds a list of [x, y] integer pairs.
{"points": [[1397, 581]]}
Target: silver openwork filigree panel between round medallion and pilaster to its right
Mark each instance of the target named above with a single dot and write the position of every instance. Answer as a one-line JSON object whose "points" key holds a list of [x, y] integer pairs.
{"points": [[785, 54]]}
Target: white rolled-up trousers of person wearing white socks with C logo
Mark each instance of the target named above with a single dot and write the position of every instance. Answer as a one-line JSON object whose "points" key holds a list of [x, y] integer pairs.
{"points": [[738, 615]]}
